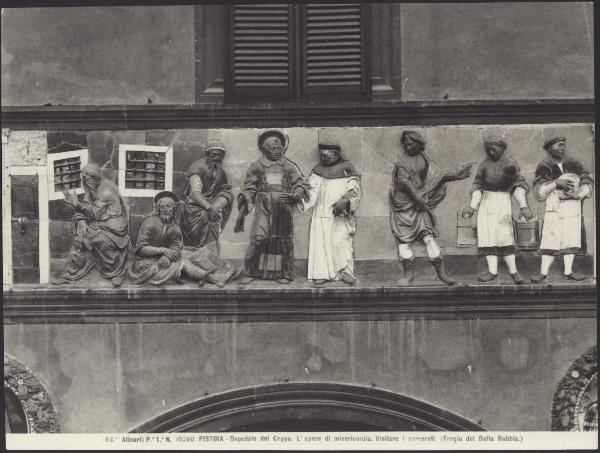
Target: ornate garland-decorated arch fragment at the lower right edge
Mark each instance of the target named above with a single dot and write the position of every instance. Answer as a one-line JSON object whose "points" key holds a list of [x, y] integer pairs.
{"points": [[575, 402]]}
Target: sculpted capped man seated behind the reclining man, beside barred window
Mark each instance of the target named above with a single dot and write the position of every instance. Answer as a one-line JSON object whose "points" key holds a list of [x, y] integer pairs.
{"points": [[207, 198]]}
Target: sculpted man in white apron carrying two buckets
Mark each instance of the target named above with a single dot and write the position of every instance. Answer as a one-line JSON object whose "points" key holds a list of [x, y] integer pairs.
{"points": [[498, 177]]}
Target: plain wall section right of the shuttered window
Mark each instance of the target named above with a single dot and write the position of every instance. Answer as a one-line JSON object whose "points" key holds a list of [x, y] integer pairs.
{"points": [[507, 50]]}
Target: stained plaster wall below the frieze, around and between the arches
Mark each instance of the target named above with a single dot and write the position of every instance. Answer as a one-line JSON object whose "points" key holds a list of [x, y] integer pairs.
{"points": [[113, 377]]}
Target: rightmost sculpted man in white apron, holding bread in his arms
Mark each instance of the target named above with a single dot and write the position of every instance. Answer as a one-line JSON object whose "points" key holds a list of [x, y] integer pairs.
{"points": [[562, 183]]}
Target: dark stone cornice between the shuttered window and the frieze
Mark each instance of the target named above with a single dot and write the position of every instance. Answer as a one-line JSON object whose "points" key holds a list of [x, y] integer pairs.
{"points": [[116, 117]]}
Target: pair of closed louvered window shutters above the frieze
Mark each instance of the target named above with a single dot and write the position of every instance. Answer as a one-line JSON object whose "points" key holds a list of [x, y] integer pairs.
{"points": [[284, 52]]}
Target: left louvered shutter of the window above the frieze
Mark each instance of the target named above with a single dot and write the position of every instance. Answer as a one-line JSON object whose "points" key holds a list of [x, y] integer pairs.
{"points": [[261, 51]]}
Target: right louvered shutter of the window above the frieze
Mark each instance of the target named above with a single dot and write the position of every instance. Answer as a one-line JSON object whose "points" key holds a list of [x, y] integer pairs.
{"points": [[334, 49]]}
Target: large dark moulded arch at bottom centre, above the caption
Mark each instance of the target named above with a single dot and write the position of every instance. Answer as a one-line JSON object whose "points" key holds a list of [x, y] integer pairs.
{"points": [[307, 407]]}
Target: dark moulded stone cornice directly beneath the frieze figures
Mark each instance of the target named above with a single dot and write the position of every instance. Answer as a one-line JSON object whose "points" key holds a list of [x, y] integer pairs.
{"points": [[80, 305]]}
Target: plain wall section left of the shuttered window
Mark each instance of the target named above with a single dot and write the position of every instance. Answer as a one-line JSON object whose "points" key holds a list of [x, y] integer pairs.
{"points": [[98, 55]]}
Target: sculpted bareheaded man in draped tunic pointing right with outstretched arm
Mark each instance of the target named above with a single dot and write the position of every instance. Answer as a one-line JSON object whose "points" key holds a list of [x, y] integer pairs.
{"points": [[418, 186]]}
